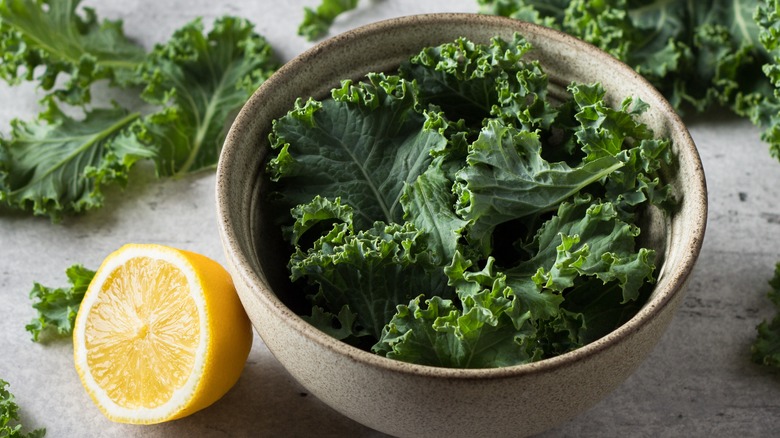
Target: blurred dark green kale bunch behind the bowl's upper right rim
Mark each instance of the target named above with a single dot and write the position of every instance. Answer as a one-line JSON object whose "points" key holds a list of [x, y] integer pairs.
{"points": [[699, 54]]}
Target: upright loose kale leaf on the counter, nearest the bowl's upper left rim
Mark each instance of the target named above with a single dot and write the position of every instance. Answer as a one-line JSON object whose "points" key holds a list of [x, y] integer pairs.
{"points": [[202, 80]]}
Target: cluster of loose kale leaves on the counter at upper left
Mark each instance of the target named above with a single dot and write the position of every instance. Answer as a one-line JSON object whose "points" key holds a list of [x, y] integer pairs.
{"points": [[57, 164]]}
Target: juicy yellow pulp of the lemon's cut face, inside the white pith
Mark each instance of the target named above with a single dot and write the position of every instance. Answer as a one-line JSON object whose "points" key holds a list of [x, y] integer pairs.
{"points": [[143, 333]]}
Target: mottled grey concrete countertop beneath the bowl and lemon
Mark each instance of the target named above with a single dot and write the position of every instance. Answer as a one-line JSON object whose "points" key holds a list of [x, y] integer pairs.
{"points": [[699, 381]]}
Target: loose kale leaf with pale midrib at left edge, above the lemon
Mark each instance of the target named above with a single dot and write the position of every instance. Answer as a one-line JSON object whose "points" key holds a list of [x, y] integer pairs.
{"points": [[58, 164]]}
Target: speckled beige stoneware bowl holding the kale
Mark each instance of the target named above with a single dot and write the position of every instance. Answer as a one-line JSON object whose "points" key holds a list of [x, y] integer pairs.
{"points": [[412, 400]]}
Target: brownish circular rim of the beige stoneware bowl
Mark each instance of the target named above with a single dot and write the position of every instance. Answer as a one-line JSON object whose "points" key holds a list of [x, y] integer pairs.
{"points": [[697, 190]]}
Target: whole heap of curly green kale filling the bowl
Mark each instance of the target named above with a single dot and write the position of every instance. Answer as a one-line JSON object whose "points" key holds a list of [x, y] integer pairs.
{"points": [[452, 215]]}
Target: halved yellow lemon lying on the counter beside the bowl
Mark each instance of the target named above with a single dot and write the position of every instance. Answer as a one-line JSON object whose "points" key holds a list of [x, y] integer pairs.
{"points": [[160, 334]]}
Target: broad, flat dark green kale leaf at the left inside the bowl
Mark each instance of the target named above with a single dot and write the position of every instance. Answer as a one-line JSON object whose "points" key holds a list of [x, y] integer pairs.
{"points": [[362, 146]]}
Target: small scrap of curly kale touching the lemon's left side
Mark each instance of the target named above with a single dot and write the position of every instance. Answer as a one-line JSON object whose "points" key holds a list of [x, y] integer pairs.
{"points": [[57, 307]]}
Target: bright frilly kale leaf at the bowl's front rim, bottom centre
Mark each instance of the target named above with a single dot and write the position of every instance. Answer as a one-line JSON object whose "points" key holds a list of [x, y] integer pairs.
{"points": [[489, 327]]}
